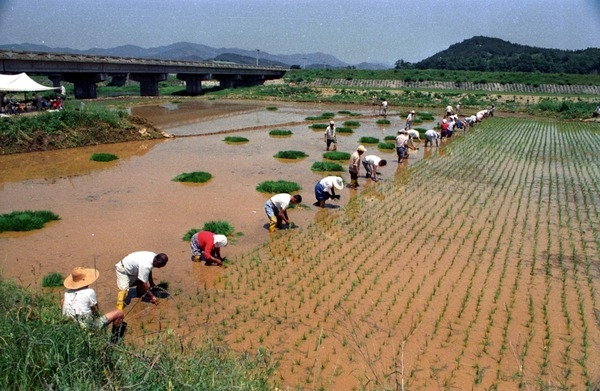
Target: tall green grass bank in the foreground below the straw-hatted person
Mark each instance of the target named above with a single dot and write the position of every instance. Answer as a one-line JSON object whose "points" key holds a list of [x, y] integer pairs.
{"points": [[41, 350]]}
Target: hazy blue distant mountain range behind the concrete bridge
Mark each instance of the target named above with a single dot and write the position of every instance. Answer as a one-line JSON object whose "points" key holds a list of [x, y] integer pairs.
{"points": [[187, 51]]}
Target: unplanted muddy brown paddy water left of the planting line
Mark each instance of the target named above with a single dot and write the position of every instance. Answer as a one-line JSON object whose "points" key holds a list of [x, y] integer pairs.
{"points": [[108, 210]]}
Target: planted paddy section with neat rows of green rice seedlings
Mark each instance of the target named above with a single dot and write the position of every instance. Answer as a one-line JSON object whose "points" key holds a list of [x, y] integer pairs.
{"points": [[475, 268]]}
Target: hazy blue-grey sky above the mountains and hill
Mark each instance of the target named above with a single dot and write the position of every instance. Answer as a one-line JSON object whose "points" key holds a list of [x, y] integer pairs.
{"points": [[354, 31]]}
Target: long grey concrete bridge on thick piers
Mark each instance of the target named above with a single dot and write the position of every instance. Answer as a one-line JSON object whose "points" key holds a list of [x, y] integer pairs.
{"points": [[85, 71]]}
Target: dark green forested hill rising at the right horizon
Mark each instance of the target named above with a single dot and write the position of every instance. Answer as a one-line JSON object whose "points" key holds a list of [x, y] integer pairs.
{"points": [[496, 55]]}
